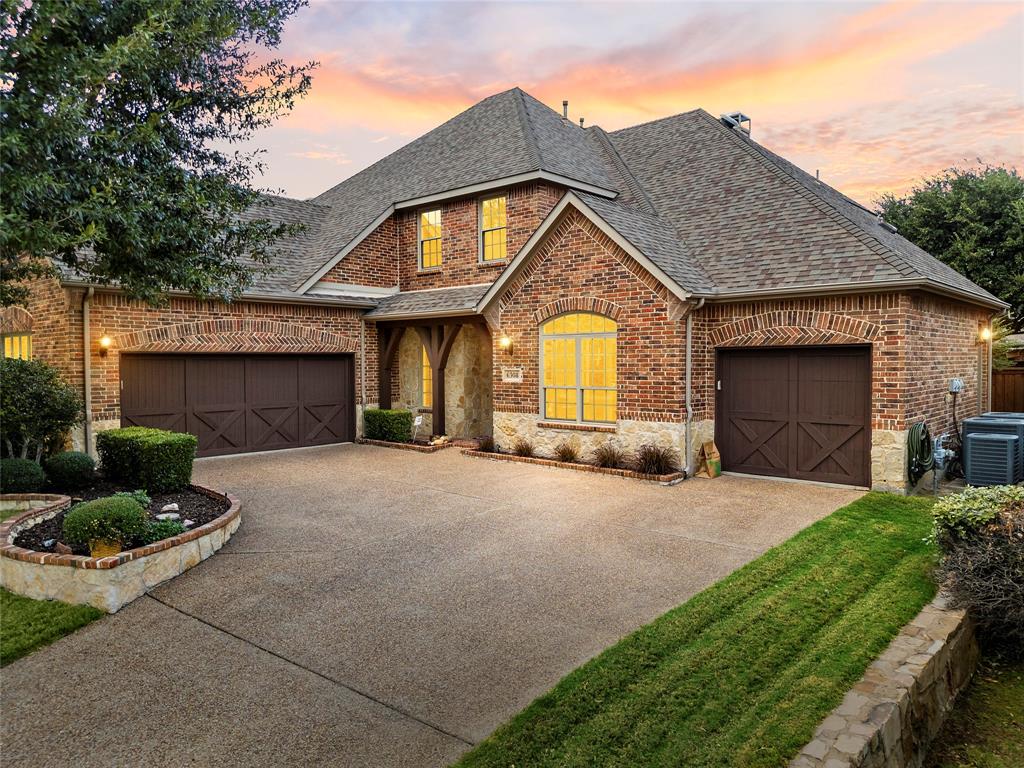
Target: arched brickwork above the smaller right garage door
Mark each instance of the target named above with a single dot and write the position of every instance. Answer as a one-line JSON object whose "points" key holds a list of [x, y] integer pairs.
{"points": [[792, 328]]}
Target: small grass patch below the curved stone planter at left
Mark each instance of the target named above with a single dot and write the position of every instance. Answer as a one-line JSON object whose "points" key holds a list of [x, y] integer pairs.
{"points": [[27, 625]]}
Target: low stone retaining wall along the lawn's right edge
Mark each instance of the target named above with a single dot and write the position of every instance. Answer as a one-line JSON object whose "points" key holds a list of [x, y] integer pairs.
{"points": [[892, 715]]}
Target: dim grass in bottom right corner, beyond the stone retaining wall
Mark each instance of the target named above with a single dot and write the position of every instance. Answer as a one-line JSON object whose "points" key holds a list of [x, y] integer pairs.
{"points": [[987, 728]]}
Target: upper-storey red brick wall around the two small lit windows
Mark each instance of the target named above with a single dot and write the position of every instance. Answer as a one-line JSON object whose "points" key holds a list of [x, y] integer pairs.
{"points": [[528, 205]]}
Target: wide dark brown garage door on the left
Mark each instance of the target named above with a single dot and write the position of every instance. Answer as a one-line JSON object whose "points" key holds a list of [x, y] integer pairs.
{"points": [[235, 404]]}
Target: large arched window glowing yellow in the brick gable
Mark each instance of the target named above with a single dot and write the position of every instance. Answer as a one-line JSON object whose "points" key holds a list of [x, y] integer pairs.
{"points": [[578, 368]]}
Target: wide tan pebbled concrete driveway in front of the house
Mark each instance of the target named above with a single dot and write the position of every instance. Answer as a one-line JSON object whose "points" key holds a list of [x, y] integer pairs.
{"points": [[385, 608]]}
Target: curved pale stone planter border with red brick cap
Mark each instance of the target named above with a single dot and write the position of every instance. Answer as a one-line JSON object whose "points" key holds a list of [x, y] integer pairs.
{"points": [[106, 583]]}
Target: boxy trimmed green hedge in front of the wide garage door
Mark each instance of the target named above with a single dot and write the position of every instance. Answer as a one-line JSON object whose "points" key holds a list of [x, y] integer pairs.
{"points": [[155, 460]]}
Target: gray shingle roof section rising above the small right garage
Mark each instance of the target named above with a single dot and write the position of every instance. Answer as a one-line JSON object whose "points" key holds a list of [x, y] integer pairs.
{"points": [[757, 223]]}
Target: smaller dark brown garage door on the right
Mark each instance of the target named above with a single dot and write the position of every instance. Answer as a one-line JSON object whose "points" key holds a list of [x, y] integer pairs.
{"points": [[798, 413]]}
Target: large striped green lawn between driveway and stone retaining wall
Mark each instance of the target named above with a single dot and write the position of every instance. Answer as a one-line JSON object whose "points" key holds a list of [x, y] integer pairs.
{"points": [[742, 674]]}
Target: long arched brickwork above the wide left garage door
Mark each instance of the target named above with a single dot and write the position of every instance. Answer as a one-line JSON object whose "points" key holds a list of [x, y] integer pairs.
{"points": [[234, 335]]}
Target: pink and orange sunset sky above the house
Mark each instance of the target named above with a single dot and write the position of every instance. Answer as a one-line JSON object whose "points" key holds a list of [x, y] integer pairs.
{"points": [[876, 96]]}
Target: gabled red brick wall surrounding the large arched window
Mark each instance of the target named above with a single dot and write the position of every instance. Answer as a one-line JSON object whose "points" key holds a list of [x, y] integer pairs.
{"points": [[580, 269]]}
